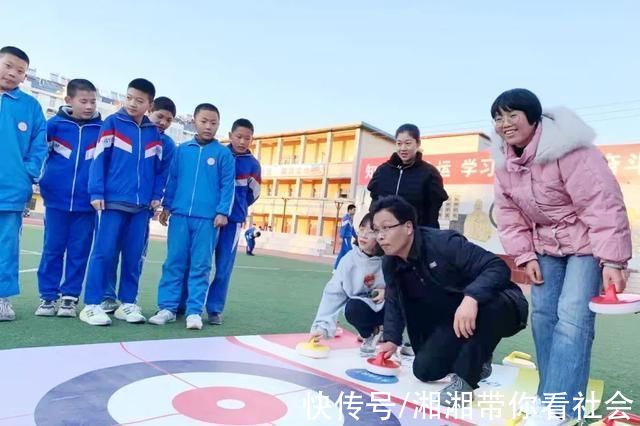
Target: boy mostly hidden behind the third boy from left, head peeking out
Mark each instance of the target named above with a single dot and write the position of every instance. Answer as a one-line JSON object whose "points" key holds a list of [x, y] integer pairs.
{"points": [[163, 111]]}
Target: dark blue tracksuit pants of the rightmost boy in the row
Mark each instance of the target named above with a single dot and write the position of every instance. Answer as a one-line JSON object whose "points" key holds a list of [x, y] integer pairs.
{"points": [[225, 256]]}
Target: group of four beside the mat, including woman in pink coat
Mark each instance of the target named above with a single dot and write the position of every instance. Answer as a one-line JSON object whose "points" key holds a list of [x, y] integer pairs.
{"points": [[560, 215]]}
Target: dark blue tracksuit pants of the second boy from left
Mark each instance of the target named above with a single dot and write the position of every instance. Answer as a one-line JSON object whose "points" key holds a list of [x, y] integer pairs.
{"points": [[67, 240]]}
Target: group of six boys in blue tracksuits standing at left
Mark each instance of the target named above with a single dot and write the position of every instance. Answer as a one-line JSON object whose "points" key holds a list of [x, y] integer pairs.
{"points": [[102, 182]]}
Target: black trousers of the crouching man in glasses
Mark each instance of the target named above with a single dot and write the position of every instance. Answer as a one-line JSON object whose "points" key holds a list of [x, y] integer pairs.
{"points": [[438, 350]]}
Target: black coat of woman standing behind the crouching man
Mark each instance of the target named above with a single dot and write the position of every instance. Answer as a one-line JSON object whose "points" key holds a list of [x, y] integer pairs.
{"points": [[419, 183]]}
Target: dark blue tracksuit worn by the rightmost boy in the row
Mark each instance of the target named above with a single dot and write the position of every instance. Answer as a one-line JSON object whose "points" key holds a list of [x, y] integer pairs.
{"points": [[248, 178]]}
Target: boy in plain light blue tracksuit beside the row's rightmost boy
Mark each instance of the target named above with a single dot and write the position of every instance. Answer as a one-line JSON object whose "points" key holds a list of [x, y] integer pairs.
{"points": [[199, 198]]}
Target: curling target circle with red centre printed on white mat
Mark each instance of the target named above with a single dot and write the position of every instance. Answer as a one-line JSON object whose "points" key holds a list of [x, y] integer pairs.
{"points": [[198, 392]]}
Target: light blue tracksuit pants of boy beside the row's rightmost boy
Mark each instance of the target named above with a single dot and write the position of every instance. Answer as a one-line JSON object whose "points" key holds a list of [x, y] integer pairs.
{"points": [[190, 245]]}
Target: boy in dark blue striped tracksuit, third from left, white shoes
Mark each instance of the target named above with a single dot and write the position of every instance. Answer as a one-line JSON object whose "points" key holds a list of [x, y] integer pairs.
{"points": [[125, 181]]}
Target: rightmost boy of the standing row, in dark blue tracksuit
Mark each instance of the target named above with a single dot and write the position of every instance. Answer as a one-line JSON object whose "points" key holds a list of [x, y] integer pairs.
{"points": [[248, 178]]}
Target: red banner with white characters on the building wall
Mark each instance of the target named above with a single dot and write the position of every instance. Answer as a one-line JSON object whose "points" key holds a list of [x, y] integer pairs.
{"points": [[478, 168]]}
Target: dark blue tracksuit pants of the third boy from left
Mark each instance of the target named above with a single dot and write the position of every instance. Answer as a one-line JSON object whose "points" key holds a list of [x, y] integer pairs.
{"points": [[117, 230]]}
